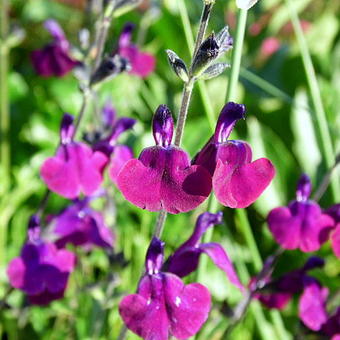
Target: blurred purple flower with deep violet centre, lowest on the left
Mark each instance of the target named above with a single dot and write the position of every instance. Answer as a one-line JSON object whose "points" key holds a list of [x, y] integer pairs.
{"points": [[41, 271]]}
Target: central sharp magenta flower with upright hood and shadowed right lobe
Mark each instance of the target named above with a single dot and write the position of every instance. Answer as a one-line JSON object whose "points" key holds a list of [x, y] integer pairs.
{"points": [[162, 177]]}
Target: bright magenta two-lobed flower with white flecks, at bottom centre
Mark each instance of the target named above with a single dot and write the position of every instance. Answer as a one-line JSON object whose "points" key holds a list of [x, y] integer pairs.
{"points": [[163, 305]]}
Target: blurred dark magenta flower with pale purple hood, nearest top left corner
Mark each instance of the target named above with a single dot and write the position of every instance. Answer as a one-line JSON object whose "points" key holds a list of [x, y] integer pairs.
{"points": [[54, 59]]}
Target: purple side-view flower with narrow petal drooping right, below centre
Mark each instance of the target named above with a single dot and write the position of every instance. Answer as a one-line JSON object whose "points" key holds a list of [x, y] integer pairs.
{"points": [[186, 258]]}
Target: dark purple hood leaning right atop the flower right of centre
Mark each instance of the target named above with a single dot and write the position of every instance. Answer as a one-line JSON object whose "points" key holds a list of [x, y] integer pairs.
{"points": [[230, 114]]}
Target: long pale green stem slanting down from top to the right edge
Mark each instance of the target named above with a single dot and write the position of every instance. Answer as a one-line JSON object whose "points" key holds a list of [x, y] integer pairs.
{"points": [[326, 145]]}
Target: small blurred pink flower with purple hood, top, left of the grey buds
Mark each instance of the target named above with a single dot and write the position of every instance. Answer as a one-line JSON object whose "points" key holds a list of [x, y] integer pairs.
{"points": [[142, 64]]}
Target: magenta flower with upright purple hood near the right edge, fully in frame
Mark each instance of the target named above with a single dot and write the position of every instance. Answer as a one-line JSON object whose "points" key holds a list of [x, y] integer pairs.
{"points": [[302, 224]]}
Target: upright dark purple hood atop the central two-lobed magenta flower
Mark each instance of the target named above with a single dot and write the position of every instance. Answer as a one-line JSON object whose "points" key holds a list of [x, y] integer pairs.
{"points": [[163, 126]]}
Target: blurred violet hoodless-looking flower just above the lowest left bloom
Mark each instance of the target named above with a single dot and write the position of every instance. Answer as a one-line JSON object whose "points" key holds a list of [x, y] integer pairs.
{"points": [[80, 225]]}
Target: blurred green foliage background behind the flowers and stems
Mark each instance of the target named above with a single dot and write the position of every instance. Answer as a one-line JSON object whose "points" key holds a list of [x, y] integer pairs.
{"points": [[280, 125]]}
